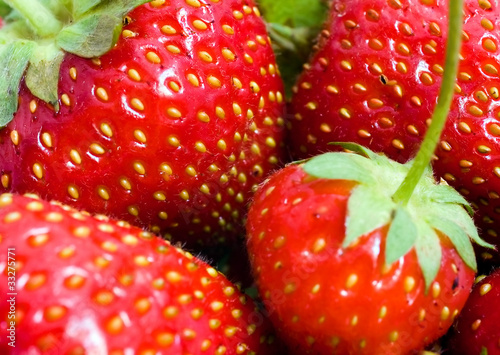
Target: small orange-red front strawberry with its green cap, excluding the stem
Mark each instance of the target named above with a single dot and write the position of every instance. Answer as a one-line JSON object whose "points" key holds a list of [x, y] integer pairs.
{"points": [[342, 269]]}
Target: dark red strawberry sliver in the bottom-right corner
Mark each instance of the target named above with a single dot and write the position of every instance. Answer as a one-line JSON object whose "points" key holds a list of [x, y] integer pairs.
{"points": [[476, 330]]}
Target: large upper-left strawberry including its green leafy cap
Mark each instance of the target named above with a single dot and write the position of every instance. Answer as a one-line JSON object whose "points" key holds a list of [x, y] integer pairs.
{"points": [[169, 129]]}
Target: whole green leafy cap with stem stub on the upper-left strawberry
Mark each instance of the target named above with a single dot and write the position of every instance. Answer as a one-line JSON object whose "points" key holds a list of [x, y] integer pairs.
{"points": [[37, 34]]}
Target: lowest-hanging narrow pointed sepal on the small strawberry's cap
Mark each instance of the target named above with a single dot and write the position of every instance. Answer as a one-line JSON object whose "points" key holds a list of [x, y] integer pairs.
{"points": [[428, 248]]}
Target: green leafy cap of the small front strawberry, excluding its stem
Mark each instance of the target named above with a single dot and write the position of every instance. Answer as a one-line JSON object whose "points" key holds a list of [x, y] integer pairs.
{"points": [[432, 207]]}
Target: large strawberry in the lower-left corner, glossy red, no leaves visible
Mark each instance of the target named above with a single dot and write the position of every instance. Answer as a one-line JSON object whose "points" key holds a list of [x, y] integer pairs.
{"points": [[80, 284]]}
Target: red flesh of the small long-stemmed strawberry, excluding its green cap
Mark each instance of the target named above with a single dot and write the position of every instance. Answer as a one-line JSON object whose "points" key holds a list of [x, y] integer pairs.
{"points": [[326, 299]]}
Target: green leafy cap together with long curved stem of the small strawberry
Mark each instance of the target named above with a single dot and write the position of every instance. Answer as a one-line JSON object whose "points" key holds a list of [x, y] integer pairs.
{"points": [[406, 197]]}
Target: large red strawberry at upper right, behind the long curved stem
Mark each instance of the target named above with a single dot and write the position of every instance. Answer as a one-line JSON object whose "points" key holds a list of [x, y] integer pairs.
{"points": [[374, 80]]}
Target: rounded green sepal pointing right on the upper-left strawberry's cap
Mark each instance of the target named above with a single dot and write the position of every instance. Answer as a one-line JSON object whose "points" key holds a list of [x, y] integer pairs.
{"points": [[90, 37]]}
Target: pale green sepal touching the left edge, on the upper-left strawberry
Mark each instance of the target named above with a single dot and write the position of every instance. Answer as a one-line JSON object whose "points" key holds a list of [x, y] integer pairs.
{"points": [[14, 59]]}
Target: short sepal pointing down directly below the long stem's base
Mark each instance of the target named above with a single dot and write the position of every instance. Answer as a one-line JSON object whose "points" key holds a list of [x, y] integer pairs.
{"points": [[401, 236]]}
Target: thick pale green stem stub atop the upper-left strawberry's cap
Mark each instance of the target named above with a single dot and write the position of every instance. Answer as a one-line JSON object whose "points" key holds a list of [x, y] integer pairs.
{"points": [[41, 19]]}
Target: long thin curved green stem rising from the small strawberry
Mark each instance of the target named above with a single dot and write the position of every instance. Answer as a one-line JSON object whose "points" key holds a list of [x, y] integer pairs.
{"points": [[440, 114]]}
